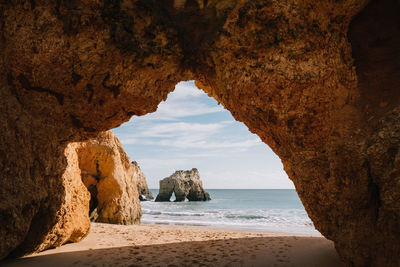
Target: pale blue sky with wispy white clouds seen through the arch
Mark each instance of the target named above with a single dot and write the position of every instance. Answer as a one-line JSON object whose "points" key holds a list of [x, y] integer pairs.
{"points": [[190, 130]]}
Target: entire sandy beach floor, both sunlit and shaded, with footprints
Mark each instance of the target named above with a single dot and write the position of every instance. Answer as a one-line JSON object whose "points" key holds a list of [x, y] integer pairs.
{"points": [[163, 245]]}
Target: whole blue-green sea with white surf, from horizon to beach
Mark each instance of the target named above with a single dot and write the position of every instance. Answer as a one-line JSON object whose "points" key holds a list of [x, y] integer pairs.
{"points": [[272, 210]]}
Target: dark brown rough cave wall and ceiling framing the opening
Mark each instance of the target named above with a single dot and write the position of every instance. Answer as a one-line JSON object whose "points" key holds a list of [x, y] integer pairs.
{"points": [[318, 82]]}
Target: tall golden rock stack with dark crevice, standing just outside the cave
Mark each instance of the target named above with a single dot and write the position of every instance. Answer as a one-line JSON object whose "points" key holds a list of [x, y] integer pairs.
{"points": [[109, 176]]}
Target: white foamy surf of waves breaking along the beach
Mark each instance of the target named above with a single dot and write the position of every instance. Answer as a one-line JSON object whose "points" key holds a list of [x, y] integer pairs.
{"points": [[224, 212]]}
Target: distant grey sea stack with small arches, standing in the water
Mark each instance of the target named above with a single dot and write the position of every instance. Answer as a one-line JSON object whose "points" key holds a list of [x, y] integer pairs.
{"points": [[184, 184]]}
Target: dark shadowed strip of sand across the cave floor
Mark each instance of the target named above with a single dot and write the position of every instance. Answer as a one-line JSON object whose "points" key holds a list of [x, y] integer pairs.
{"points": [[255, 251]]}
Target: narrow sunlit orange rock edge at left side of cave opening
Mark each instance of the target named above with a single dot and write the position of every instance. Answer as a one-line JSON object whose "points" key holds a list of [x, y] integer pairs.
{"points": [[74, 224]]}
